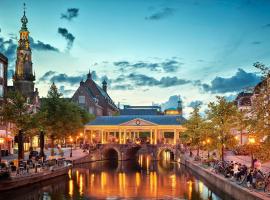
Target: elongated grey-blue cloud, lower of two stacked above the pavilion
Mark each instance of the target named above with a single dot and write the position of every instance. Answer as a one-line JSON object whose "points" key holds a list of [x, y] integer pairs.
{"points": [[144, 80]]}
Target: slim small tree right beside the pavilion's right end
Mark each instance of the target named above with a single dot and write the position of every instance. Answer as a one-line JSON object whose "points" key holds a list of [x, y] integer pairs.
{"points": [[194, 129]]}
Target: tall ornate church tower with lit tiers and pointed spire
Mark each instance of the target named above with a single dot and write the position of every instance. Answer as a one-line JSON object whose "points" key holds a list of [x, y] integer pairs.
{"points": [[23, 79]]}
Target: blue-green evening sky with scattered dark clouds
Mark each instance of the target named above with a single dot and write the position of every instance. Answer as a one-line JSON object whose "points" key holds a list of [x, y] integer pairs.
{"points": [[149, 51]]}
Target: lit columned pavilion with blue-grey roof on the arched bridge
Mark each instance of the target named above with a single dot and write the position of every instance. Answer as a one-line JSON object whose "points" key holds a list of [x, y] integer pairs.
{"points": [[153, 129]]}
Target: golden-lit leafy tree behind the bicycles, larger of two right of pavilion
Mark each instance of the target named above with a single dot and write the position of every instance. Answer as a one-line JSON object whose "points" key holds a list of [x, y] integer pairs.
{"points": [[222, 115]]}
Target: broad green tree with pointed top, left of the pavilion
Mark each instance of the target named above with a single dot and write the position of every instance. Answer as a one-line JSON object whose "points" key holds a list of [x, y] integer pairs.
{"points": [[61, 118]]}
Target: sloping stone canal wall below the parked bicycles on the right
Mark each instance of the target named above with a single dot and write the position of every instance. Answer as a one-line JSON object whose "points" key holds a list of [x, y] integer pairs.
{"points": [[223, 184]]}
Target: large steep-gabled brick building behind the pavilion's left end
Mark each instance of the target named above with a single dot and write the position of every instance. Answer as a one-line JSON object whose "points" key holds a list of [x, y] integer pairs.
{"points": [[93, 98]]}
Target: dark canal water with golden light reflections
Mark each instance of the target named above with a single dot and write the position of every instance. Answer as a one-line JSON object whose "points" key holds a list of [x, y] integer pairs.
{"points": [[120, 180]]}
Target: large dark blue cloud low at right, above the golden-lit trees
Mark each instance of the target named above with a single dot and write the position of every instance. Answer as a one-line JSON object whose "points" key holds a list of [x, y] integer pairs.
{"points": [[236, 83]]}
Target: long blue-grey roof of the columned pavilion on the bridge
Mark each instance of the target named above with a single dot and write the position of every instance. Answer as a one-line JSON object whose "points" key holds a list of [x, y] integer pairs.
{"points": [[156, 119]]}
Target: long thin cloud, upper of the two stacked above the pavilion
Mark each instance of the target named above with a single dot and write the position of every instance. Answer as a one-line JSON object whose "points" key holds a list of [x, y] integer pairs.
{"points": [[169, 65]]}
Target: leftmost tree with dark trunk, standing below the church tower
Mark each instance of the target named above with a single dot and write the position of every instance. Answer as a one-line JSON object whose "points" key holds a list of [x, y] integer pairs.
{"points": [[16, 111]]}
